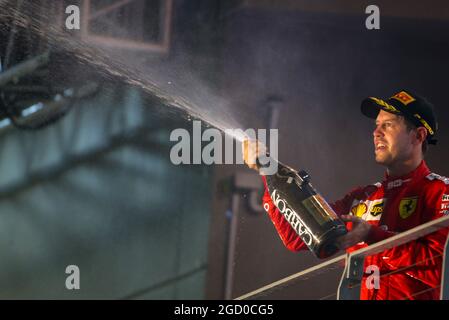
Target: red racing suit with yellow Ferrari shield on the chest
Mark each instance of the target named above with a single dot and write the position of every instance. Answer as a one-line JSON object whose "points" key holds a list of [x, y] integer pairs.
{"points": [[408, 271]]}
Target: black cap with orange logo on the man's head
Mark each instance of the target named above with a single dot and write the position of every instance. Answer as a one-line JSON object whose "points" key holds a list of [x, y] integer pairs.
{"points": [[415, 108]]}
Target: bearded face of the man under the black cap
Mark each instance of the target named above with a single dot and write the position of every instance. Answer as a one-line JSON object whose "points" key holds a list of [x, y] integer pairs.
{"points": [[392, 140]]}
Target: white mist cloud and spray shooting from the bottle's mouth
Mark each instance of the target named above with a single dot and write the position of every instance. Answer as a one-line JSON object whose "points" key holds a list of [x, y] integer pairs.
{"points": [[169, 79]]}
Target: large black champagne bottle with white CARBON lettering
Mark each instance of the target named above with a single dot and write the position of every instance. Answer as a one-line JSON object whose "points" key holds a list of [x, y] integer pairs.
{"points": [[305, 209]]}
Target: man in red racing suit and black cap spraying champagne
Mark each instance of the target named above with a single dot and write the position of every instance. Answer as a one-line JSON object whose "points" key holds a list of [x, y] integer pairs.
{"points": [[408, 196]]}
